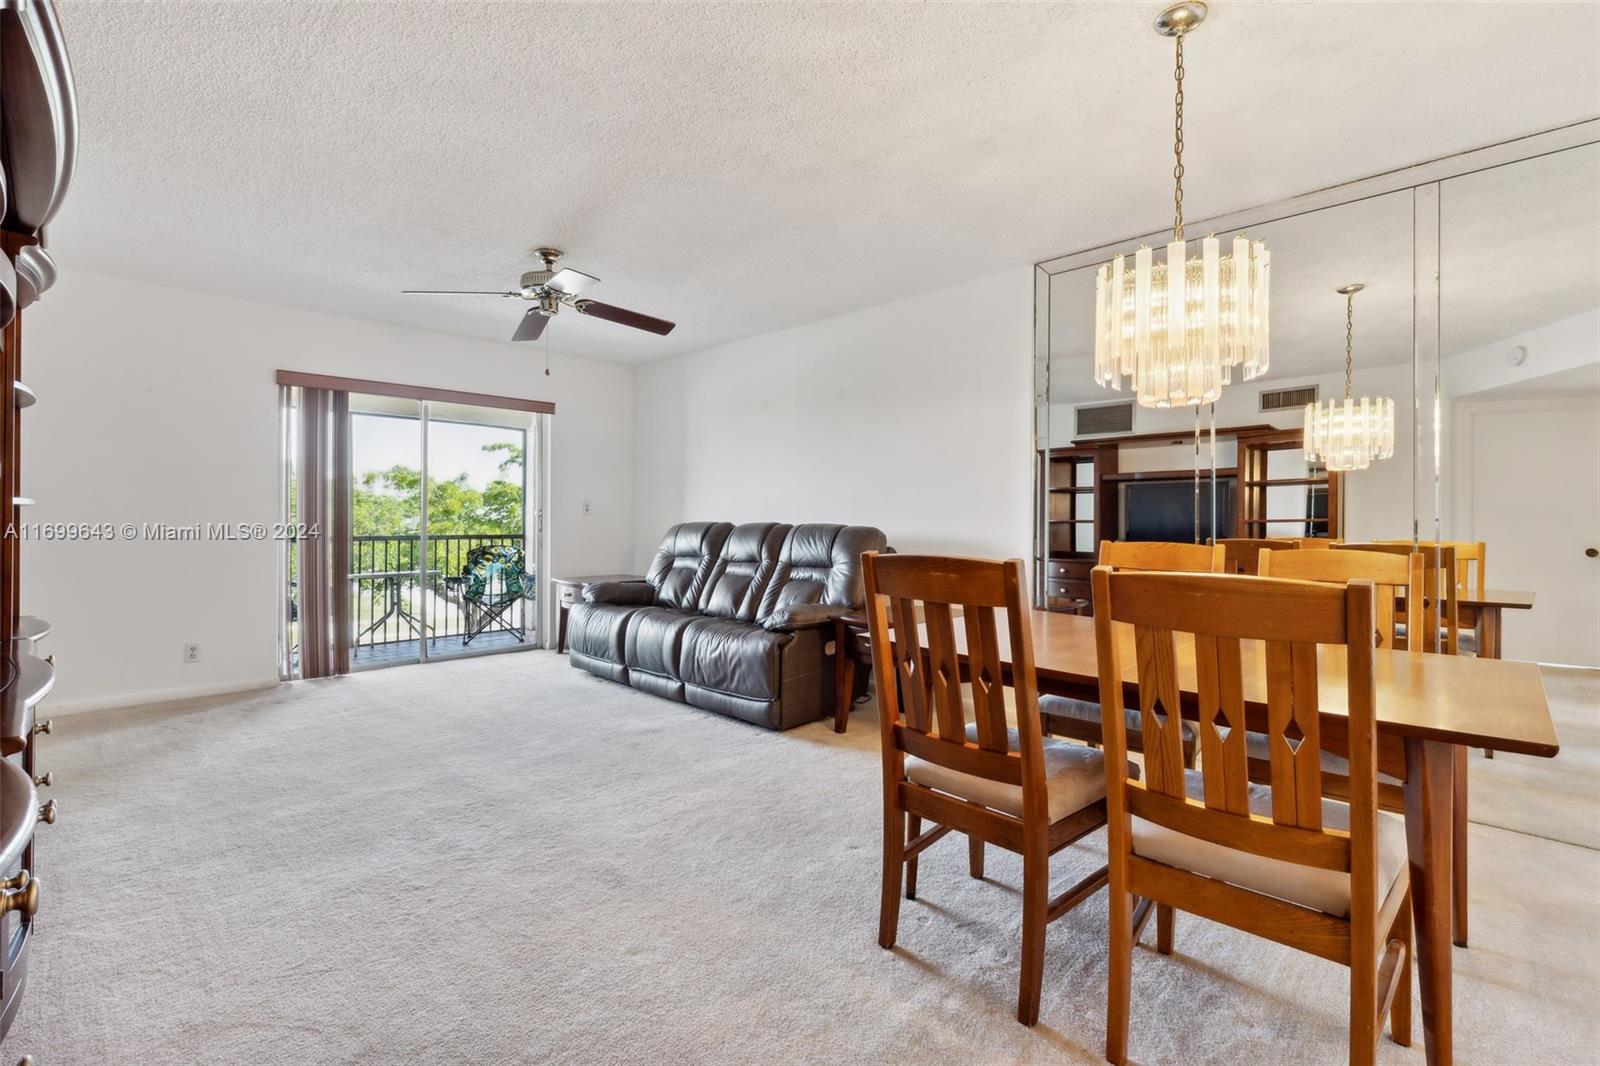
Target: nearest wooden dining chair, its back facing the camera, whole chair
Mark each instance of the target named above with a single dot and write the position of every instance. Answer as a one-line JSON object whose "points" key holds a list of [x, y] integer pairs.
{"points": [[1279, 862]]}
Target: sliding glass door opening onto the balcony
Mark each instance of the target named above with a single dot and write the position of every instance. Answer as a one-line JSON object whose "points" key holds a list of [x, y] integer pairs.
{"points": [[444, 532]]}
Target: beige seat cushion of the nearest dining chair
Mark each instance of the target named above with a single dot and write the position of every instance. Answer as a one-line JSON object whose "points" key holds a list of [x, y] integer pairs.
{"points": [[1327, 891]]}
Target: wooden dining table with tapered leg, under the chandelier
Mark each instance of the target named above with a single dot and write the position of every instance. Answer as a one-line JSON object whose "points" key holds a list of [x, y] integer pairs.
{"points": [[1430, 707]]}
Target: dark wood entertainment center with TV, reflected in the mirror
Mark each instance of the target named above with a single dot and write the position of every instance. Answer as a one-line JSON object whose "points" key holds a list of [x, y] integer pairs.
{"points": [[1142, 487]]}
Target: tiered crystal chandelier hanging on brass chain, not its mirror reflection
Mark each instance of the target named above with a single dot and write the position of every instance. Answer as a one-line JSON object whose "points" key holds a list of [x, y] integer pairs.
{"points": [[1222, 323]]}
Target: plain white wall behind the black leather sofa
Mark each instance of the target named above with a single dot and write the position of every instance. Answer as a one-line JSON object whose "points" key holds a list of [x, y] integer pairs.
{"points": [[914, 417]]}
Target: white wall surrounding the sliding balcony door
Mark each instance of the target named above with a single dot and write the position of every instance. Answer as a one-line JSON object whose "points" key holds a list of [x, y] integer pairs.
{"points": [[159, 406]]}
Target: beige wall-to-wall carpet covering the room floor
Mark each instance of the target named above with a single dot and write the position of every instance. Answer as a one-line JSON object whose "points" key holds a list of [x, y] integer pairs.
{"points": [[508, 862]]}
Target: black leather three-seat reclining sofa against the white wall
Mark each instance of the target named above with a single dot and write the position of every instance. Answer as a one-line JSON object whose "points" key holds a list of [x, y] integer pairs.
{"points": [[735, 620]]}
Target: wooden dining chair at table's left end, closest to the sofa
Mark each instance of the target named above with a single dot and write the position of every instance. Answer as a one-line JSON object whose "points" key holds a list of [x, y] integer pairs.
{"points": [[953, 758]]}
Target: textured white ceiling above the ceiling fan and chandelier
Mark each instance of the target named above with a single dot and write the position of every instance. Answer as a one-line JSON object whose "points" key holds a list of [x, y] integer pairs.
{"points": [[740, 169]]}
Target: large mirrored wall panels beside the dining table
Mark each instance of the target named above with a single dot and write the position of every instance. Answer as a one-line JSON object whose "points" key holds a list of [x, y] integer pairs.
{"points": [[1479, 316]]}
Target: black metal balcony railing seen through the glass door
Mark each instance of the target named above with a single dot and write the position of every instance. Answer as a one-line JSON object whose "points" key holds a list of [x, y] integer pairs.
{"points": [[394, 599]]}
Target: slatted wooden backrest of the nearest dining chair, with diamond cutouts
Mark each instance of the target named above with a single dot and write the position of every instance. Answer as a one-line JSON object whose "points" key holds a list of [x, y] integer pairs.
{"points": [[1228, 615]]}
